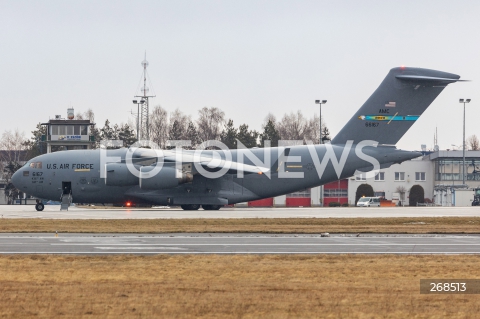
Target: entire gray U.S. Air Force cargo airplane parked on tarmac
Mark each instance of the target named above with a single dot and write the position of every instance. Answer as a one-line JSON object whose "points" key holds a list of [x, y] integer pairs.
{"points": [[213, 178]]}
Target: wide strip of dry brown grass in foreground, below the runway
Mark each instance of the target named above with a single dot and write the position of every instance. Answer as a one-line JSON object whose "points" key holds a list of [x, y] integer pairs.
{"points": [[268, 286]]}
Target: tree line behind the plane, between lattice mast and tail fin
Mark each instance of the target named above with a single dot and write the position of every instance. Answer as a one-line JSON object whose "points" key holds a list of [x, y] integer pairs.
{"points": [[212, 124]]}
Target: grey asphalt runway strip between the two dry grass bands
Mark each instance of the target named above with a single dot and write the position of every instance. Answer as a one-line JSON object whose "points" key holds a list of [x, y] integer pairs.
{"points": [[110, 244]]}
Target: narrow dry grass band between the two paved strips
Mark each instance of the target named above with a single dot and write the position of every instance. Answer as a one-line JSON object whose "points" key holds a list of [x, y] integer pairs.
{"points": [[417, 225]]}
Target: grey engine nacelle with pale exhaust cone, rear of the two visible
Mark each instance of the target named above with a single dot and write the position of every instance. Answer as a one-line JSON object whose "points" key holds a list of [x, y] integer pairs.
{"points": [[165, 178]]}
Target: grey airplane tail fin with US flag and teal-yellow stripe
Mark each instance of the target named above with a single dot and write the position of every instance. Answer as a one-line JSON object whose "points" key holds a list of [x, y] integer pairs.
{"points": [[396, 104]]}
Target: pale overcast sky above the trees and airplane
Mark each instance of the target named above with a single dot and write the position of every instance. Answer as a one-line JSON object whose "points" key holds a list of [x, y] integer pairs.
{"points": [[248, 58]]}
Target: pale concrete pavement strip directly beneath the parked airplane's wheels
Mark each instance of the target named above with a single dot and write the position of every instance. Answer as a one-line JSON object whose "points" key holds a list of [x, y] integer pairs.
{"points": [[53, 212]]}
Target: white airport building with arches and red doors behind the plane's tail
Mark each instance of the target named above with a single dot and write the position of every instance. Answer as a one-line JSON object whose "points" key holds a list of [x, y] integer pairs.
{"points": [[438, 173]]}
